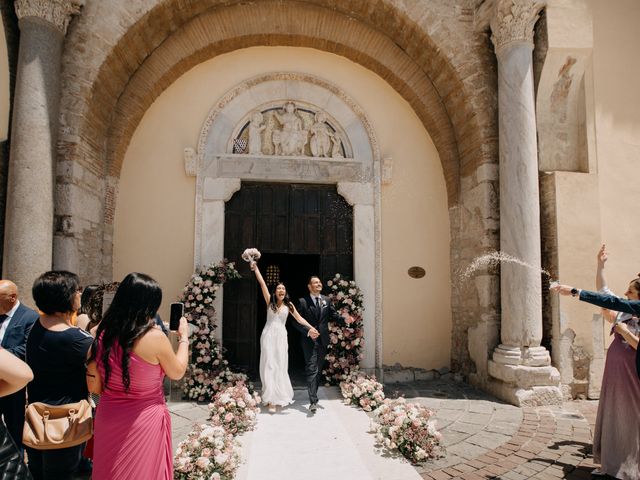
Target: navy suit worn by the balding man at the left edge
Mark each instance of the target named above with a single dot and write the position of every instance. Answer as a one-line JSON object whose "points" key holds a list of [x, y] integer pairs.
{"points": [[14, 341]]}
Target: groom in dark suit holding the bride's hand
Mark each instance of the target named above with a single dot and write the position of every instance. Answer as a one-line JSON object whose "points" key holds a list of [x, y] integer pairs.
{"points": [[316, 309]]}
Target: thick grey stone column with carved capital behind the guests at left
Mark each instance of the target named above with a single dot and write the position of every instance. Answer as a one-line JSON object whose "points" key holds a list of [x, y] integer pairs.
{"points": [[28, 241]]}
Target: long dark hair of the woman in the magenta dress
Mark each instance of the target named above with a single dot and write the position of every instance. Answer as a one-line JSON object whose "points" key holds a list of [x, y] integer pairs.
{"points": [[129, 317]]}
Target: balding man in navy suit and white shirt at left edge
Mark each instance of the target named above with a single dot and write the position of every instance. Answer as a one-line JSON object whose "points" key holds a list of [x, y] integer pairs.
{"points": [[16, 321]]}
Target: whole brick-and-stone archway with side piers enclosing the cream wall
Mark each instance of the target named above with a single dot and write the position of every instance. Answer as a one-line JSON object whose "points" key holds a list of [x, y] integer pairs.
{"points": [[120, 57]]}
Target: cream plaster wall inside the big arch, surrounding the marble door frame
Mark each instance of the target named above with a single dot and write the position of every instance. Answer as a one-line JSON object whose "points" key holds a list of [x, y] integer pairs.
{"points": [[154, 219]]}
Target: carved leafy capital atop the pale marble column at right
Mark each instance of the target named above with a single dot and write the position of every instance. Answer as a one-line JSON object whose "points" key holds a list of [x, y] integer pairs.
{"points": [[513, 21]]}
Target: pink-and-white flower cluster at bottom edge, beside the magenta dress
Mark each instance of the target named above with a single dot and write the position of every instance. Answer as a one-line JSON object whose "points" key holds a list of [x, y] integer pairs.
{"points": [[209, 452]]}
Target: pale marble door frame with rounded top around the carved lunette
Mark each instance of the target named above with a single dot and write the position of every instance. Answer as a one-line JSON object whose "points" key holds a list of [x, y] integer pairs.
{"points": [[219, 175]]}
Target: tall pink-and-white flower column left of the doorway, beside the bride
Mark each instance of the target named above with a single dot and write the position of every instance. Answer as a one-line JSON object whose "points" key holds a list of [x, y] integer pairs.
{"points": [[208, 370]]}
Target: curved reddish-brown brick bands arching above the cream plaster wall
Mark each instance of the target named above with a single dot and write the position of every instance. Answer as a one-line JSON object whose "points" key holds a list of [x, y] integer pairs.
{"points": [[167, 41]]}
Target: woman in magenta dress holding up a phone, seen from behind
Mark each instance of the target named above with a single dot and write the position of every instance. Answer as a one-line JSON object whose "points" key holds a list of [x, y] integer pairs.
{"points": [[130, 359]]}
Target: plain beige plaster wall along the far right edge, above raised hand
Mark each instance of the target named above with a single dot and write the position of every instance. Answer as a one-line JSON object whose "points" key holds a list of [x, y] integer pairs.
{"points": [[617, 96]]}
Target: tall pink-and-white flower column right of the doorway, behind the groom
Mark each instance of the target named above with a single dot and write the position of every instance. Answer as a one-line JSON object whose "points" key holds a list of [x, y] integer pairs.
{"points": [[345, 342]]}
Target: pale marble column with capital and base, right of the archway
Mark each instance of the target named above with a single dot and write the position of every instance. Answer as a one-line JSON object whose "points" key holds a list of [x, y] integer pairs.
{"points": [[520, 364]]}
